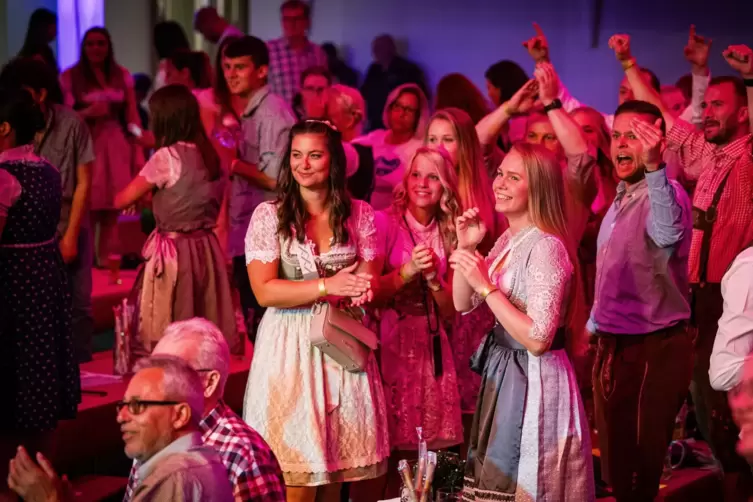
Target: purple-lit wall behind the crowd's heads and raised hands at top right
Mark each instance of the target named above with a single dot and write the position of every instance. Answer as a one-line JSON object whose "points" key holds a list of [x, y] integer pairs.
{"points": [[467, 36]]}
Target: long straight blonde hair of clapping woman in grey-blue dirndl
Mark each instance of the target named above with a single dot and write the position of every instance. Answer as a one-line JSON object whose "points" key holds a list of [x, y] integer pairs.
{"points": [[546, 210]]}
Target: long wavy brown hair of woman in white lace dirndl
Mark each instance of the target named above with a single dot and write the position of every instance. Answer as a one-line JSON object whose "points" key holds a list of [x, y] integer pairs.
{"points": [[291, 210]]}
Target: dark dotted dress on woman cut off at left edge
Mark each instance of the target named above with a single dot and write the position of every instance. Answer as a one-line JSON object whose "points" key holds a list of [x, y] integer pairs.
{"points": [[38, 369]]}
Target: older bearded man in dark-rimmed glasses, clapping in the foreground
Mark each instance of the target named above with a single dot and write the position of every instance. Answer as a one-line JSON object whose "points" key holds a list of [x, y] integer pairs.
{"points": [[159, 417]]}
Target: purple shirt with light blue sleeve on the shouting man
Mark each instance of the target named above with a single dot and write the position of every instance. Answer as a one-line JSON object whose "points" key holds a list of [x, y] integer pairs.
{"points": [[642, 260]]}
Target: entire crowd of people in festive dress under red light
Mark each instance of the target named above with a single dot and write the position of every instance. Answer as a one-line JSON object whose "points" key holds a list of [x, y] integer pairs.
{"points": [[539, 274]]}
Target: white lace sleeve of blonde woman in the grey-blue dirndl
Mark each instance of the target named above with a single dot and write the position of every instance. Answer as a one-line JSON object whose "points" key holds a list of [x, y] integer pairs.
{"points": [[547, 277]]}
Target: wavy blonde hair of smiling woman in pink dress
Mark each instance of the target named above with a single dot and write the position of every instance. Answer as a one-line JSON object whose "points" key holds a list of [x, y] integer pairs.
{"points": [[449, 203]]}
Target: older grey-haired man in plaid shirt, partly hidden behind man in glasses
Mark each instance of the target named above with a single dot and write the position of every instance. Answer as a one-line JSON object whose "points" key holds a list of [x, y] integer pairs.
{"points": [[250, 464]]}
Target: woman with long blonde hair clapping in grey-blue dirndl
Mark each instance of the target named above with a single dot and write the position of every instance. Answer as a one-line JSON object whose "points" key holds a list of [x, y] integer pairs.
{"points": [[529, 438]]}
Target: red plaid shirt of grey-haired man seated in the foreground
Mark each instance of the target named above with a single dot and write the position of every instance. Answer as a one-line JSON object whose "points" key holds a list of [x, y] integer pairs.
{"points": [[252, 467]]}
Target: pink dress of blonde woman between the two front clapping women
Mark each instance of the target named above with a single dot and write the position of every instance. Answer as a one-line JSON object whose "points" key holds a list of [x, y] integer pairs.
{"points": [[415, 395]]}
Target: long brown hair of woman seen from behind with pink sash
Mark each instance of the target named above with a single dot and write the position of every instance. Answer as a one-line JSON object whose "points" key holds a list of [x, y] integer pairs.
{"points": [[176, 117]]}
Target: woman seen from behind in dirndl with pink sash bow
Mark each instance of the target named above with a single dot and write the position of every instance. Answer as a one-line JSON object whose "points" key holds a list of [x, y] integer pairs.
{"points": [[184, 275]]}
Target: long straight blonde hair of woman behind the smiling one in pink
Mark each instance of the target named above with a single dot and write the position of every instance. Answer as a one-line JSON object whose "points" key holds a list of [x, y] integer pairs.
{"points": [[474, 185]]}
